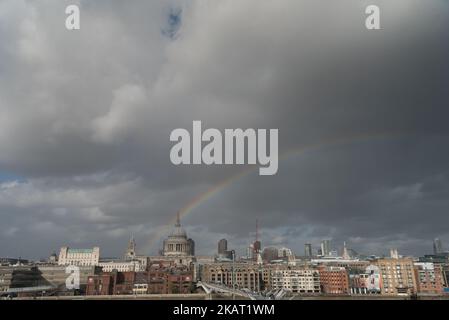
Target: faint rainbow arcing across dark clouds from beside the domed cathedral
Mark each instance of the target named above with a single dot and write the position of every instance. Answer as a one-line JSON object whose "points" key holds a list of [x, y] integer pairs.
{"points": [[217, 188]]}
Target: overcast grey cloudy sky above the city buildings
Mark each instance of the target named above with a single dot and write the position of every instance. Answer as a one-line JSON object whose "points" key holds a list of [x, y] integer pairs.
{"points": [[86, 116]]}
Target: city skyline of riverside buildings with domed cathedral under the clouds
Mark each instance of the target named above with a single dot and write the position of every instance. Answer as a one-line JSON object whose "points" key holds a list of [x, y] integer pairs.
{"points": [[264, 273]]}
